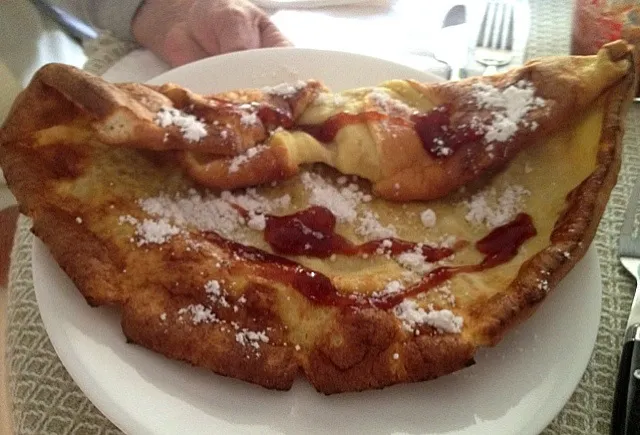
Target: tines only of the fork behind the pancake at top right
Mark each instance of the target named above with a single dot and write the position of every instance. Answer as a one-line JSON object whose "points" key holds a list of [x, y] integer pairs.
{"points": [[496, 30]]}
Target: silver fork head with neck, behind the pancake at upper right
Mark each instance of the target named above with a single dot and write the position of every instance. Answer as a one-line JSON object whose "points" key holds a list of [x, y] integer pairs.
{"points": [[494, 47]]}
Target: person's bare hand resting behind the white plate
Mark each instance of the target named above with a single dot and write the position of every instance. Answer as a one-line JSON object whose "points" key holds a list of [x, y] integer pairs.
{"points": [[181, 31]]}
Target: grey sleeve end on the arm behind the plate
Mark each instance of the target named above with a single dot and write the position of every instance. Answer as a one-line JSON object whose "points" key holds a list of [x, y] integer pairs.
{"points": [[112, 15]]}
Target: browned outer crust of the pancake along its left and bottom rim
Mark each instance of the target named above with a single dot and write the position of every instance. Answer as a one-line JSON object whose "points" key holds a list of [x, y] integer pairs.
{"points": [[76, 185]]}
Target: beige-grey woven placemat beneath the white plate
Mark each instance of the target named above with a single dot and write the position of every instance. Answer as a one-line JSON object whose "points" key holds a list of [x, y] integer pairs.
{"points": [[47, 401]]}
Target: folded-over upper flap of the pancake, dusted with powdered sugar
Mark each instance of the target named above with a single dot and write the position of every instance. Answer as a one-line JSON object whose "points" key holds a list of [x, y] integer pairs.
{"points": [[413, 141]]}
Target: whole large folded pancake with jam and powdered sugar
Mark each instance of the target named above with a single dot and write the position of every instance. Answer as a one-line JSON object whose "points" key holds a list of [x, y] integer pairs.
{"points": [[324, 271]]}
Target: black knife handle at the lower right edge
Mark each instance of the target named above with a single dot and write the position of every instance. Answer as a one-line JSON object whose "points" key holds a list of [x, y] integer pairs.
{"points": [[625, 419]]}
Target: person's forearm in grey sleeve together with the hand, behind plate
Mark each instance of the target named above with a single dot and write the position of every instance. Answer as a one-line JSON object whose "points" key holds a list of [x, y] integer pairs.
{"points": [[181, 31]]}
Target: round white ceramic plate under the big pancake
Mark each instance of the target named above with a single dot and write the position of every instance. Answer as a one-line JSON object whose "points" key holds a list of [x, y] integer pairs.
{"points": [[515, 388]]}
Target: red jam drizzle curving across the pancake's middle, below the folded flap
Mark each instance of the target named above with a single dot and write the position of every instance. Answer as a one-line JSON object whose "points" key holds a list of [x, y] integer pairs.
{"points": [[499, 246]]}
